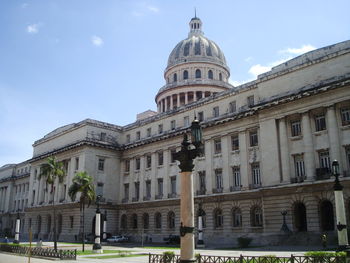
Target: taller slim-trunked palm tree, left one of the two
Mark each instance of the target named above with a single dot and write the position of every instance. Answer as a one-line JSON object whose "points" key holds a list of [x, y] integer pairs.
{"points": [[52, 170]]}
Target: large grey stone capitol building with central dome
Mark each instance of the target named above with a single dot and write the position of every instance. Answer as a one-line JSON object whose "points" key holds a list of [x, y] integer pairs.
{"points": [[268, 149]]}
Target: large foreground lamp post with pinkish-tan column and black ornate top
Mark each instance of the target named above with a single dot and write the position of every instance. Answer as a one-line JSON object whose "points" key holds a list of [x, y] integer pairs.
{"points": [[189, 151]]}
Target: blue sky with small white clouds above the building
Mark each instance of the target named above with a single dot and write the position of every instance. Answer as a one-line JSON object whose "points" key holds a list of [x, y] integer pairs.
{"points": [[62, 61]]}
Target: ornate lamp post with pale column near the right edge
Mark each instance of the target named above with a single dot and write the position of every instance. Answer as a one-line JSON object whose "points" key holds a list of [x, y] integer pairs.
{"points": [[340, 209]]}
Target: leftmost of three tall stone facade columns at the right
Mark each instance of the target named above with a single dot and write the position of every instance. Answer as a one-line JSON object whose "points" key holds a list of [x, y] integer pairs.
{"points": [[284, 151]]}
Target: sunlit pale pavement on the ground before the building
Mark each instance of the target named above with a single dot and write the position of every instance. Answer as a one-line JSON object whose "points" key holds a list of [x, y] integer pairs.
{"points": [[136, 249]]}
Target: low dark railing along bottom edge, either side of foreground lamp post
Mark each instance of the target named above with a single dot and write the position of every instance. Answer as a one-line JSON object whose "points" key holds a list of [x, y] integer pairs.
{"points": [[160, 258]]}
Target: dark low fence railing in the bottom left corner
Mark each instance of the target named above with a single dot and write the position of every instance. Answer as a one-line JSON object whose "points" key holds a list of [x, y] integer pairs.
{"points": [[41, 252]]}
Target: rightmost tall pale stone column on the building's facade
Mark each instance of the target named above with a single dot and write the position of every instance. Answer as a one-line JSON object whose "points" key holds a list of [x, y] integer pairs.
{"points": [[333, 135]]}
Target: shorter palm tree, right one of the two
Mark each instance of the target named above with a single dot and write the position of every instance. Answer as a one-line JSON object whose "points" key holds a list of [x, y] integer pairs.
{"points": [[83, 184]]}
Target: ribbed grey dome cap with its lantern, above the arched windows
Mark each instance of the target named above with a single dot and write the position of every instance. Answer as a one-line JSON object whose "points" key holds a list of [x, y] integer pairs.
{"points": [[196, 48]]}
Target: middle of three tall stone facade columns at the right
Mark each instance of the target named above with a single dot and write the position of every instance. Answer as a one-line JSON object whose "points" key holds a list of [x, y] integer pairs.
{"points": [[308, 147]]}
